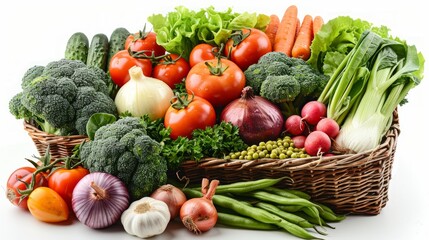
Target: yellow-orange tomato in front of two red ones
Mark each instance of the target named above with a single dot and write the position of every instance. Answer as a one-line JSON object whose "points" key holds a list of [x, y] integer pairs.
{"points": [[47, 205]]}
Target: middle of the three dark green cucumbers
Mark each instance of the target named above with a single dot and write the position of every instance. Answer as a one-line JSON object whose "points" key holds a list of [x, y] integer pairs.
{"points": [[98, 51]]}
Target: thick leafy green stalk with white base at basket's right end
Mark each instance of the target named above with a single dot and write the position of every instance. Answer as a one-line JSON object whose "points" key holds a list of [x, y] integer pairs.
{"points": [[395, 70]]}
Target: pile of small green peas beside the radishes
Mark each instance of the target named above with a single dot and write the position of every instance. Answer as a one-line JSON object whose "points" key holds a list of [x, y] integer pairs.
{"points": [[282, 148]]}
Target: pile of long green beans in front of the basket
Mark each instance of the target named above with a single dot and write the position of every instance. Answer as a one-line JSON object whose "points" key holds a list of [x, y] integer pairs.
{"points": [[259, 205]]}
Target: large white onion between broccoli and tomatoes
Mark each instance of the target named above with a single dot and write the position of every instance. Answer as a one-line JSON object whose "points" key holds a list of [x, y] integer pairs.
{"points": [[143, 95]]}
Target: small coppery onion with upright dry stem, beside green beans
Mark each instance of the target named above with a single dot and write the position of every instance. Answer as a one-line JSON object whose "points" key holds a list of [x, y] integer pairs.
{"points": [[199, 214]]}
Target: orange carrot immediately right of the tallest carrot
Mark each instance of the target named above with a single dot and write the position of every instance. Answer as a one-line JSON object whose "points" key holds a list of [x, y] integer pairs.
{"points": [[301, 48]]}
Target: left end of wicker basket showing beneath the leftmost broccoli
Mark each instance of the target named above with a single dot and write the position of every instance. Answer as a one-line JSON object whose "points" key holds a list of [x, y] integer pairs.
{"points": [[59, 146]]}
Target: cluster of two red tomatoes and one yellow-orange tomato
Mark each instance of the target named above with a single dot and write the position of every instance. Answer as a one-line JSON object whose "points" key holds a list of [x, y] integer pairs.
{"points": [[46, 188]]}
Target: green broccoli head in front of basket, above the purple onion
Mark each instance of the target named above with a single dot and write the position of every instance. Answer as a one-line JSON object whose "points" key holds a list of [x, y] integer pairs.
{"points": [[124, 149]]}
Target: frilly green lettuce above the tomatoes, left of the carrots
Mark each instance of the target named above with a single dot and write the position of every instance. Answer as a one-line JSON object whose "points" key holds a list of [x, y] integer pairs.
{"points": [[180, 30]]}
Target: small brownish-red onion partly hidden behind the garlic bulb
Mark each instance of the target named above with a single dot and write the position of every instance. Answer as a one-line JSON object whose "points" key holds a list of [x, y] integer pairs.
{"points": [[172, 196]]}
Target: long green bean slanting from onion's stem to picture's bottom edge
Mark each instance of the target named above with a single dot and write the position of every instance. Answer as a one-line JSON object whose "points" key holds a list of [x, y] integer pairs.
{"points": [[255, 213]]}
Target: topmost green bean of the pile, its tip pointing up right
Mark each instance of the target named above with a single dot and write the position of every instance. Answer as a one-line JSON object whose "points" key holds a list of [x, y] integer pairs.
{"points": [[247, 186]]}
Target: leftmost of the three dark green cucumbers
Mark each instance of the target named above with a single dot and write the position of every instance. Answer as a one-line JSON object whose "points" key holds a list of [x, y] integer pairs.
{"points": [[77, 47]]}
